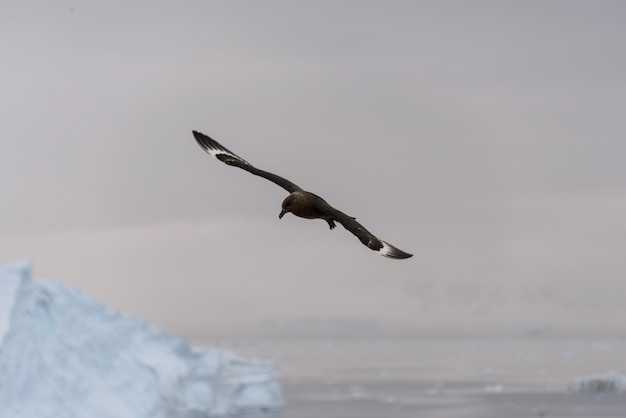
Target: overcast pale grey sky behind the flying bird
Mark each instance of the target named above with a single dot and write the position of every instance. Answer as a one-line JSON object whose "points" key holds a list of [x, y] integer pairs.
{"points": [[485, 137]]}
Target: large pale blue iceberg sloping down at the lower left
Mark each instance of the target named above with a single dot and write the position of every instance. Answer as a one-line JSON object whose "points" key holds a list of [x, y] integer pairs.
{"points": [[63, 354]]}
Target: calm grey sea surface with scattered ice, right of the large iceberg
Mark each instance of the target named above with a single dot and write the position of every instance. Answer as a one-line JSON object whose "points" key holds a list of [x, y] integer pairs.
{"points": [[510, 377]]}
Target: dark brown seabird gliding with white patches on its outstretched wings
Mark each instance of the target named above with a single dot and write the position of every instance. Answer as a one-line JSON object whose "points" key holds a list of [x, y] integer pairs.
{"points": [[300, 202]]}
